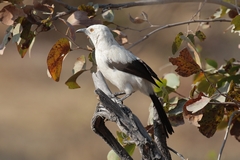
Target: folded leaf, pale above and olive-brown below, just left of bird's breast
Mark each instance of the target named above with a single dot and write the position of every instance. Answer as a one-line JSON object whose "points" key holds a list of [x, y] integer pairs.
{"points": [[78, 69]]}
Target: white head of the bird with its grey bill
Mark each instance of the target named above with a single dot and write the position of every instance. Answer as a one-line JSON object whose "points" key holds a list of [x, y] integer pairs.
{"points": [[98, 33]]}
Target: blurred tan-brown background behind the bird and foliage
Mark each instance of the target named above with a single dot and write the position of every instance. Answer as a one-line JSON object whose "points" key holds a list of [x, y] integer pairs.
{"points": [[44, 120]]}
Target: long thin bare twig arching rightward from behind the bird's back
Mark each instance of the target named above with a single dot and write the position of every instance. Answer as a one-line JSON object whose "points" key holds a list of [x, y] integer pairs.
{"points": [[177, 24]]}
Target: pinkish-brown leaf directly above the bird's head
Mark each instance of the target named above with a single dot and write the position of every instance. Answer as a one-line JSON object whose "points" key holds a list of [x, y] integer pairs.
{"points": [[81, 18]]}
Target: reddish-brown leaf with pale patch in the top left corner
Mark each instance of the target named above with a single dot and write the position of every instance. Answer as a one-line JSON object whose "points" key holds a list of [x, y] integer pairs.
{"points": [[10, 13]]}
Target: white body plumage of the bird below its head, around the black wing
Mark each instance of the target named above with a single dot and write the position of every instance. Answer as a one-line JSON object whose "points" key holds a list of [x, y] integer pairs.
{"points": [[123, 81]]}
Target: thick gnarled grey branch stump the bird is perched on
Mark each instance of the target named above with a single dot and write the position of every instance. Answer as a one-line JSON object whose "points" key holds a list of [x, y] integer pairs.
{"points": [[110, 109]]}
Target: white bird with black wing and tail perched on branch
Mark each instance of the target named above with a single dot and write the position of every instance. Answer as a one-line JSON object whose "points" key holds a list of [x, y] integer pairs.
{"points": [[123, 69]]}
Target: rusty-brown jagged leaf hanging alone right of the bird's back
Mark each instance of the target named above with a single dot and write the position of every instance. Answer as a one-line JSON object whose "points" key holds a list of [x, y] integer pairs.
{"points": [[186, 65]]}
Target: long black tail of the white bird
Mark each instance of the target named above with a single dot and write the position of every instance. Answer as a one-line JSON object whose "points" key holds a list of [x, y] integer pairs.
{"points": [[162, 115]]}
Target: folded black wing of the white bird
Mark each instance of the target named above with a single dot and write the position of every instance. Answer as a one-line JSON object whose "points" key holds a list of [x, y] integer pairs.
{"points": [[137, 68]]}
